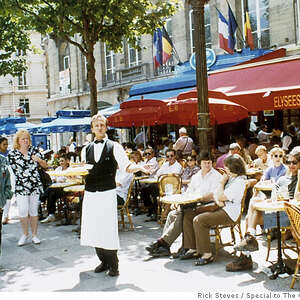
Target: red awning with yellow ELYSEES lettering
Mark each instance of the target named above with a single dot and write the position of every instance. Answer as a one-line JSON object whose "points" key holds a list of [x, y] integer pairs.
{"points": [[267, 86]]}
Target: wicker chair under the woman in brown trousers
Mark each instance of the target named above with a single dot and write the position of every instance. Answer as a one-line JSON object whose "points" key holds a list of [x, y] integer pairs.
{"points": [[234, 227]]}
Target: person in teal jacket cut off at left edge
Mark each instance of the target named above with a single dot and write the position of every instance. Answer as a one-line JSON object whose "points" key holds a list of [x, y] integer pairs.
{"points": [[5, 188]]}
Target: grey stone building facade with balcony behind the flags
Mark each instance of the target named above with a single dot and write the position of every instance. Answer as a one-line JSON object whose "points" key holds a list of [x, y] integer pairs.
{"points": [[275, 24]]}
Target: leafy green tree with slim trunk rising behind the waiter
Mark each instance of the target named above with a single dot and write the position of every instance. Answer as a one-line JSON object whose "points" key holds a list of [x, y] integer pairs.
{"points": [[108, 21]]}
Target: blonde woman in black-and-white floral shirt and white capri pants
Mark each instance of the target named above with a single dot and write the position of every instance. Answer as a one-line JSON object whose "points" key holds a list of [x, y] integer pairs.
{"points": [[24, 161]]}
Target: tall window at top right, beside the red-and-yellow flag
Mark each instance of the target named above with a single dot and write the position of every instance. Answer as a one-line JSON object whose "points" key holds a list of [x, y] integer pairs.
{"points": [[259, 20]]}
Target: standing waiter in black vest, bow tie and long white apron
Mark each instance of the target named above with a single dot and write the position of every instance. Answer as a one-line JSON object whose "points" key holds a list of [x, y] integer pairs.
{"points": [[99, 227]]}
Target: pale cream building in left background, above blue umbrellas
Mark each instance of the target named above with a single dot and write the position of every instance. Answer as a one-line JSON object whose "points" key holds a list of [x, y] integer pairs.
{"points": [[28, 91]]}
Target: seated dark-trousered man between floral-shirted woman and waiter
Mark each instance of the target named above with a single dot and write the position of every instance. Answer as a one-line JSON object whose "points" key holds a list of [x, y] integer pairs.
{"points": [[51, 193]]}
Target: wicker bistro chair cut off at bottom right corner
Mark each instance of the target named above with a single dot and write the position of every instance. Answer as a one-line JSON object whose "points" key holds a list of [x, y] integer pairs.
{"points": [[293, 213]]}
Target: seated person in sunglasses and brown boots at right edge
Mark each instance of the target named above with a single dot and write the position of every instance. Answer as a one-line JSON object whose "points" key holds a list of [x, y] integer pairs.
{"points": [[249, 243]]}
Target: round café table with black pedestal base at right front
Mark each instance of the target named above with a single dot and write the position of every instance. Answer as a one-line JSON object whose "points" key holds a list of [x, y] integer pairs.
{"points": [[275, 206]]}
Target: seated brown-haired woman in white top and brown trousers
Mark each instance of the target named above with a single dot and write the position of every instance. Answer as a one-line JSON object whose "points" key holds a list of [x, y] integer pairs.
{"points": [[229, 199]]}
